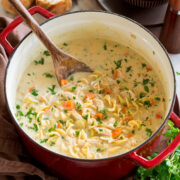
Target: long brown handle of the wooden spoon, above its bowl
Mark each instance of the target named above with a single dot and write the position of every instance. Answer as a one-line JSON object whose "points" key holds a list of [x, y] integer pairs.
{"points": [[32, 23]]}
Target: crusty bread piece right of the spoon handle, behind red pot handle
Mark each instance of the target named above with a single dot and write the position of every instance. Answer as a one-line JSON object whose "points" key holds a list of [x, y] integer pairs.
{"points": [[55, 6]]}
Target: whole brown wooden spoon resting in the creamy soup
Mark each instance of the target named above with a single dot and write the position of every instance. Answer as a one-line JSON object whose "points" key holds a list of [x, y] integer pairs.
{"points": [[64, 64]]}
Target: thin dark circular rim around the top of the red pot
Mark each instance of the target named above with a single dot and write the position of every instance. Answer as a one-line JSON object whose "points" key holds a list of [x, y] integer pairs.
{"points": [[106, 158]]}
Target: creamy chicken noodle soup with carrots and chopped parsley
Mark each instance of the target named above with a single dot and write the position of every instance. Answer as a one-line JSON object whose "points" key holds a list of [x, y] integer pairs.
{"points": [[92, 115]]}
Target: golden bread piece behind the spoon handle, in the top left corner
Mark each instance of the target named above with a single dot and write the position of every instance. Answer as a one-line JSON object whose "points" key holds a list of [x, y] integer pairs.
{"points": [[7, 6]]}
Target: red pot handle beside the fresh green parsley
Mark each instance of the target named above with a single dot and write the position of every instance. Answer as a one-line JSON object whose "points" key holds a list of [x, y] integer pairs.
{"points": [[164, 154]]}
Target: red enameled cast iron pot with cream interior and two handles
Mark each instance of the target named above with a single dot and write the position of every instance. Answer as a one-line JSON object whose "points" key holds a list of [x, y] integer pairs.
{"points": [[106, 25]]}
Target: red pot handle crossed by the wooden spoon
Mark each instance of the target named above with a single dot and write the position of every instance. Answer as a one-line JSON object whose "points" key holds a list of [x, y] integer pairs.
{"points": [[16, 22]]}
